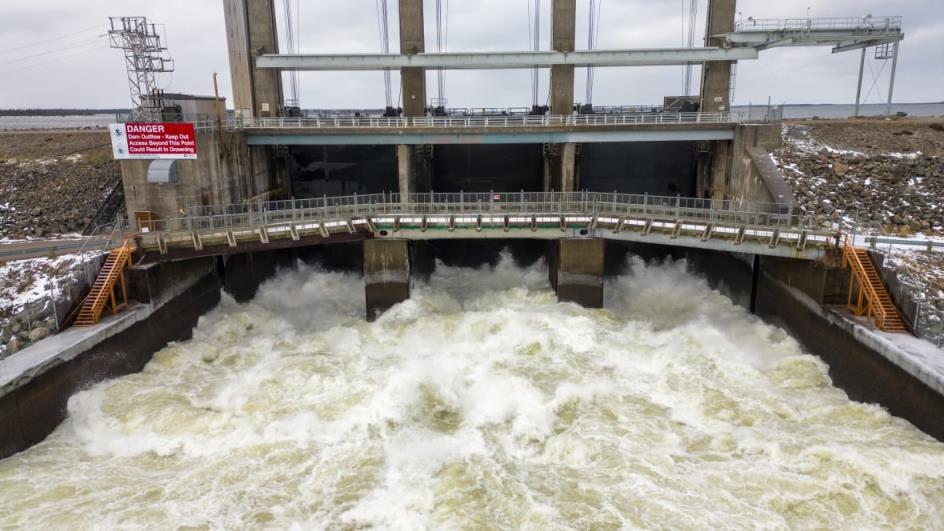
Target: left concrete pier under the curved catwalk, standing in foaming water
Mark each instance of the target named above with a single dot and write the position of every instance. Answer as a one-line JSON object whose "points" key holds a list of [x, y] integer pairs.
{"points": [[386, 275]]}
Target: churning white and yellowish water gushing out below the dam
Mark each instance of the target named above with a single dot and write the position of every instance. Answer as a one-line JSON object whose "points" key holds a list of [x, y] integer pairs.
{"points": [[478, 403]]}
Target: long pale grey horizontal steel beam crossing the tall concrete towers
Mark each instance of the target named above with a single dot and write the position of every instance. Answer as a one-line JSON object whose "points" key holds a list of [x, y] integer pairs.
{"points": [[496, 60]]}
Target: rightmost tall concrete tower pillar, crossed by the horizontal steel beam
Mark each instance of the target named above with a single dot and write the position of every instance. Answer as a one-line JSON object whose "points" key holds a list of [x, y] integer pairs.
{"points": [[716, 75]]}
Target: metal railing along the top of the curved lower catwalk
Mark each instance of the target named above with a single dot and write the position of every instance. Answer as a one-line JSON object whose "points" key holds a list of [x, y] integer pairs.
{"points": [[726, 212]]}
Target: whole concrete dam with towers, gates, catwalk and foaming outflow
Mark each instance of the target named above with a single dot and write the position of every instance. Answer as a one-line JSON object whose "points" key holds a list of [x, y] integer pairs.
{"points": [[429, 318]]}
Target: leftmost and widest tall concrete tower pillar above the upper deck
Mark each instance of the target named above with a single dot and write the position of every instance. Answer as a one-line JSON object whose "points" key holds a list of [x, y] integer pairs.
{"points": [[250, 32]]}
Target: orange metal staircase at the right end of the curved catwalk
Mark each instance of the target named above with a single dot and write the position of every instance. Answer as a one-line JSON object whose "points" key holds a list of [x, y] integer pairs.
{"points": [[873, 299]]}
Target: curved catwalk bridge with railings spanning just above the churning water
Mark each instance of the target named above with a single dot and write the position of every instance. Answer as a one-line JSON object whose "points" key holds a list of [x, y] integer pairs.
{"points": [[758, 228]]}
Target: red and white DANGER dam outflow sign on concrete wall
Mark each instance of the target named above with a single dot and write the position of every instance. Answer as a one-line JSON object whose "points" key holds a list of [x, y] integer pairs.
{"points": [[171, 140]]}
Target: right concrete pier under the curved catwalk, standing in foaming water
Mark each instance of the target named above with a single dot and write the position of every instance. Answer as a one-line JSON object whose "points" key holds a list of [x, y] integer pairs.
{"points": [[580, 271]]}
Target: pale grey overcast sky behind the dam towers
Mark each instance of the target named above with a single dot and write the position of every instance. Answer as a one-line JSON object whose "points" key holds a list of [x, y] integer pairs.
{"points": [[52, 53]]}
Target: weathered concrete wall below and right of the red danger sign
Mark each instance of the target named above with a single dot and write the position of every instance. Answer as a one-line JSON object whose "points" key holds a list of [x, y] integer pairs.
{"points": [[225, 173]]}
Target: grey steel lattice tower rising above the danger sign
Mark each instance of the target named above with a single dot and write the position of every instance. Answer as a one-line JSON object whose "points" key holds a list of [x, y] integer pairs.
{"points": [[145, 58]]}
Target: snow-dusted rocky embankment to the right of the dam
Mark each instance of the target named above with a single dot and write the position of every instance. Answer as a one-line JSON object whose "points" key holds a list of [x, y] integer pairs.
{"points": [[849, 169]]}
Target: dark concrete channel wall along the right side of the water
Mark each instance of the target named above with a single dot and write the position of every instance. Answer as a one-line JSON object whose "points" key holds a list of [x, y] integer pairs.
{"points": [[790, 294]]}
